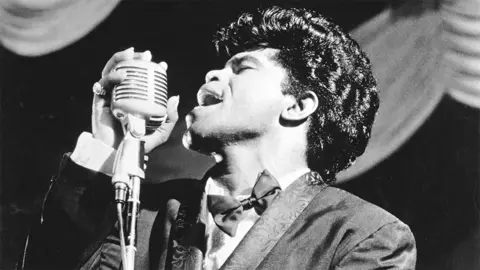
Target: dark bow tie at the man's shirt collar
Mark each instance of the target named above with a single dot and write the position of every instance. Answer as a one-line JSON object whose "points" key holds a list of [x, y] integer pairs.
{"points": [[227, 211]]}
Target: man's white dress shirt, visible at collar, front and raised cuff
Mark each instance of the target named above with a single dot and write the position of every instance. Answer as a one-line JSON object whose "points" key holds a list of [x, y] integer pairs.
{"points": [[95, 155]]}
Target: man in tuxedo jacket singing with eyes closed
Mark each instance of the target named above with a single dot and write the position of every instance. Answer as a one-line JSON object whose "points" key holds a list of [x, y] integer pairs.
{"points": [[293, 105]]}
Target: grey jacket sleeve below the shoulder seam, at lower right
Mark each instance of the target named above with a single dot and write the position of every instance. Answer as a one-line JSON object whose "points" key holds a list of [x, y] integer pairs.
{"points": [[392, 246]]}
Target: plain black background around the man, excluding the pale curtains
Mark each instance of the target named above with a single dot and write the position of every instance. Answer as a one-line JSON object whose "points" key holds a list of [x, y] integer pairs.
{"points": [[431, 182]]}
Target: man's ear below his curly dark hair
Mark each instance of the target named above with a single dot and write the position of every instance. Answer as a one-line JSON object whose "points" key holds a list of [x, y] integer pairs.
{"points": [[300, 109]]}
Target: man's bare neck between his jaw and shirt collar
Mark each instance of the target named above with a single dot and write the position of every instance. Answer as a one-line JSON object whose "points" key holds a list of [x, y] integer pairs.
{"points": [[242, 162]]}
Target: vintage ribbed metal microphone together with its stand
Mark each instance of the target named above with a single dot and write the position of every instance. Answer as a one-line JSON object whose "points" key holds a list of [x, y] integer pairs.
{"points": [[140, 103]]}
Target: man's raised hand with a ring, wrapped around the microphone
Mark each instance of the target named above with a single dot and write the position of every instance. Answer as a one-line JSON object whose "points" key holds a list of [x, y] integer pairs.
{"points": [[105, 126]]}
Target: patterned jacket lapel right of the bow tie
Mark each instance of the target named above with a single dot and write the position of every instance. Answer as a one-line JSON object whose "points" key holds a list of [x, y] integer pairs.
{"points": [[273, 223]]}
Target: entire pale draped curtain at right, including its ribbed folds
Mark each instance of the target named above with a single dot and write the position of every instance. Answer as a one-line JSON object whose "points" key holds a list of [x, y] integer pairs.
{"points": [[416, 59]]}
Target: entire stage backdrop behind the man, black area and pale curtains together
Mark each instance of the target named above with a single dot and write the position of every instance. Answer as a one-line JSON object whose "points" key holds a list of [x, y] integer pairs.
{"points": [[420, 50]]}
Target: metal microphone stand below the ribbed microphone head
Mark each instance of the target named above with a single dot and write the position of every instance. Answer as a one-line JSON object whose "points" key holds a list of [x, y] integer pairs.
{"points": [[128, 171]]}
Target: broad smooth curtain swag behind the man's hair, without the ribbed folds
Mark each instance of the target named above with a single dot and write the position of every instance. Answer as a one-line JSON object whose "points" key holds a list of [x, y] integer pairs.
{"points": [[406, 52]]}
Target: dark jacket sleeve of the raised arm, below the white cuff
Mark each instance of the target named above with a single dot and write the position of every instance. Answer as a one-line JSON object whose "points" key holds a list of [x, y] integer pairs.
{"points": [[77, 213]]}
